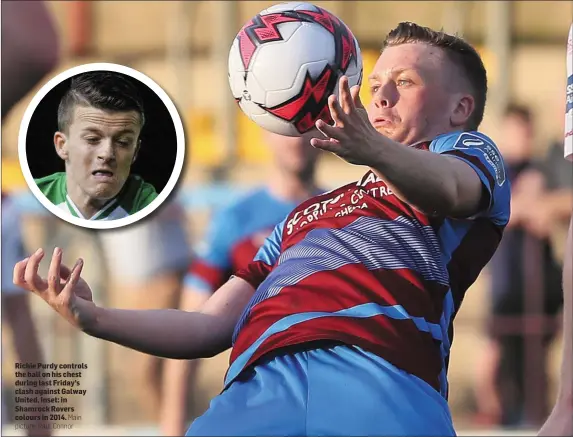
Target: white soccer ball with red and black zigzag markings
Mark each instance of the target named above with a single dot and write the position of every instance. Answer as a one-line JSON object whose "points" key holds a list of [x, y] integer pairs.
{"points": [[287, 61]]}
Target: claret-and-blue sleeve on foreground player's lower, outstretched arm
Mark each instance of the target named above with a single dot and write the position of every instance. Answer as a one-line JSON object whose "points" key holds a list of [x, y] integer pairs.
{"points": [[265, 259]]}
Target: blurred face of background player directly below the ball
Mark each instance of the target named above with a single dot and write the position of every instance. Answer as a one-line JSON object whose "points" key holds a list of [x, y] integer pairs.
{"points": [[294, 155]]}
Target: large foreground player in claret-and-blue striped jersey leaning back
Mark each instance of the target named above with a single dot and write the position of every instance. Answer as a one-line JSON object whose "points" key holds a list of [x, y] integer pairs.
{"points": [[342, 324]]}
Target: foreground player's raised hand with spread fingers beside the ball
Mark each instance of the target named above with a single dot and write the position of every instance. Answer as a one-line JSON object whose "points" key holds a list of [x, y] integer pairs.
{"points": [[352, 137]]}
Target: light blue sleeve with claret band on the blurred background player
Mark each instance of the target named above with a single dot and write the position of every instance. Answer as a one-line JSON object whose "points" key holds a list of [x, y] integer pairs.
{"points": [[212, 264]]}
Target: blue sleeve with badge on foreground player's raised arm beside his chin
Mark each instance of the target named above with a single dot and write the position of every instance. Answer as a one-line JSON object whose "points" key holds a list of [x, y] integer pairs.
{"points": [[483, 156]]}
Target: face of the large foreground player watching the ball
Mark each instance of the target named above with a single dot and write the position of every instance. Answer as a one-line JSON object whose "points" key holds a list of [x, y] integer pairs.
{"points": [[416, 94]]}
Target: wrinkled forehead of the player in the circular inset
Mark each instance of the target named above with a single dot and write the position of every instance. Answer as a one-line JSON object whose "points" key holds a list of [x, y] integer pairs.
{"points": [[92, 118]]}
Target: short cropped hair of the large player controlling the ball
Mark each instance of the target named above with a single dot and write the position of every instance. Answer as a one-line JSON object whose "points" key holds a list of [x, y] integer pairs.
{"points": [[460, 53]]}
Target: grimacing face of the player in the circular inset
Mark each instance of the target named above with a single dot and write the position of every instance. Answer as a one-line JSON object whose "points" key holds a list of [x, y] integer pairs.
{"points": [[98, 149]]}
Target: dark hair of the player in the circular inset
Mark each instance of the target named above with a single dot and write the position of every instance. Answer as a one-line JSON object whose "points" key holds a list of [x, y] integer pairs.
{"points": [[106, 90]]}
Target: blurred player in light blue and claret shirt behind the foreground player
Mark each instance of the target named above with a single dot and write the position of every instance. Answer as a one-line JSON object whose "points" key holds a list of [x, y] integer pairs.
{"points": [[232, 240]]}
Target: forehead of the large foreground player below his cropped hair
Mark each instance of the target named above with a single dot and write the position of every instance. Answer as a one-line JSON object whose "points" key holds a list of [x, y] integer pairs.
{"points": [[420, 58]]}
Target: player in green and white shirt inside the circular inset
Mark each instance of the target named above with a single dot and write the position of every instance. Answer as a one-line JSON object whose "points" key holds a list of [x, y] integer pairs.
{"points": [[99, 120]]}
